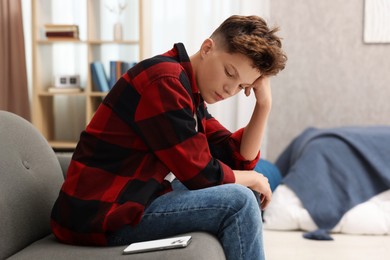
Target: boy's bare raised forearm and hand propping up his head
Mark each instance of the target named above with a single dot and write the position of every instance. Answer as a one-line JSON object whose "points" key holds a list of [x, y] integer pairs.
{"points": [[254, 131]]}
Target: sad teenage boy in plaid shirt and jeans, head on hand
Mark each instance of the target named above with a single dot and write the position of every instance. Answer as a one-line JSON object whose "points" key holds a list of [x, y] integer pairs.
{"points": [[154, 125]]}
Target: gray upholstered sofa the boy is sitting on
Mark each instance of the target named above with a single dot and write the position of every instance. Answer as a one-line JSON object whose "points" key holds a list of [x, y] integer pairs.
{"points": [[30, 179]]}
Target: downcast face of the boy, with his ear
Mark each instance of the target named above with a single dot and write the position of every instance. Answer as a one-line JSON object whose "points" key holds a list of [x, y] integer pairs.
{"points": [[221, 75]]}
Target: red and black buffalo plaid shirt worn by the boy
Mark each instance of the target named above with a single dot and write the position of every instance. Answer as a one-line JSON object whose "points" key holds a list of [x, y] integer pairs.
{"points": [[144, 129]]}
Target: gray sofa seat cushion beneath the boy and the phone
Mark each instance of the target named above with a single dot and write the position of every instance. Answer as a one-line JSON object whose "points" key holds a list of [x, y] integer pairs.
{"points": [[203, 246]]}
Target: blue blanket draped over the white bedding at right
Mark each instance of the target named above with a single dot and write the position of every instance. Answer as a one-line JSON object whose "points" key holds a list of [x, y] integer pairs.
{"points": [[333, 170]]}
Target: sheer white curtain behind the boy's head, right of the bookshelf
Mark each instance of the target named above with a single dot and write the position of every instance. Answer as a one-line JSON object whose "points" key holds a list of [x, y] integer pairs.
{"points": [[190, 22]]}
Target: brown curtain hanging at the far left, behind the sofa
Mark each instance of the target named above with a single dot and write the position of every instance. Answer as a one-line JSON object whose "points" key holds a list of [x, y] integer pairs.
{"points": [[13, 72]]}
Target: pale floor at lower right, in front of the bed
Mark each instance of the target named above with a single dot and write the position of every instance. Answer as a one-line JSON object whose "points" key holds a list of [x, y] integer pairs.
{"points": [[291, 245]]}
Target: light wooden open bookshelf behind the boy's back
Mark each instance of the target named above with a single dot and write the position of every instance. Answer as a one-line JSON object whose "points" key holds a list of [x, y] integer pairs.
{"points": [[61, 117]]}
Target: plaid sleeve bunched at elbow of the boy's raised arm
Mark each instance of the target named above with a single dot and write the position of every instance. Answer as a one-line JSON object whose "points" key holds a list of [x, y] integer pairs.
{"points": [[225, 145]]}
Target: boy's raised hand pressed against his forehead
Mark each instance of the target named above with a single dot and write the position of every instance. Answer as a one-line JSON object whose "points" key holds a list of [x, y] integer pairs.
{"points": [[262, 89]]}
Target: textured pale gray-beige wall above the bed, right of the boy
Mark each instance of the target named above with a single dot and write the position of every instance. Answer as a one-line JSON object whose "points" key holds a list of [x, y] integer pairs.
{"points": [[332, 77]]}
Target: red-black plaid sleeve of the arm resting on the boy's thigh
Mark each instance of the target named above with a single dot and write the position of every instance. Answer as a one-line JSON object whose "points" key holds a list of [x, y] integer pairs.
{"points": [[165, 120]]}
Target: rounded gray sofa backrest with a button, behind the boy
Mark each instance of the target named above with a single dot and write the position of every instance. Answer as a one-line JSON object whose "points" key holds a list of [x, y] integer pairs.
{"points": [[30, 180]]}
